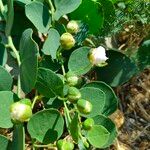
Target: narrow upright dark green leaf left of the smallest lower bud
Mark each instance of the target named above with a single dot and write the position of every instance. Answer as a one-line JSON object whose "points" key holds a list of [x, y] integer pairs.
{"points": [[75, 128]]}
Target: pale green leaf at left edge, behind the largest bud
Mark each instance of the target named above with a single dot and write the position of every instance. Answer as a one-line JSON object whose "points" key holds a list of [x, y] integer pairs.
{"points": [[6, 99]]}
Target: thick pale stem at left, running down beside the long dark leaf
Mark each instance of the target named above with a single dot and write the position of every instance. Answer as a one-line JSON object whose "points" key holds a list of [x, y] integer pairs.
{"points": [[11, 45]]}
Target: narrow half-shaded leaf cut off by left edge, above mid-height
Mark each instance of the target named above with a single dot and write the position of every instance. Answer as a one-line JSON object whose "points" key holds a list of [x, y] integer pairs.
{"points": [[3, 55]]}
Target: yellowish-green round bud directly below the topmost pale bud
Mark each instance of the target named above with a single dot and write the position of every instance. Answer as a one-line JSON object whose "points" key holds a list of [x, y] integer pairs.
{"points": [[67, 41]]}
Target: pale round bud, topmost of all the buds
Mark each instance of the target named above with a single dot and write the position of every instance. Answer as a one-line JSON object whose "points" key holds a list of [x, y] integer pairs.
{"points": [[72, 27]]}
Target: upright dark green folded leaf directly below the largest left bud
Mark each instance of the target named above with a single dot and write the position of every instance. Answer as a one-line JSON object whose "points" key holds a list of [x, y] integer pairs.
{"points": [[18, 142]]}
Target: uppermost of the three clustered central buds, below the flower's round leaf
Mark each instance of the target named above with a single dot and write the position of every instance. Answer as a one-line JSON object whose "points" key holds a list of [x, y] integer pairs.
{"points": [[72, 79]]}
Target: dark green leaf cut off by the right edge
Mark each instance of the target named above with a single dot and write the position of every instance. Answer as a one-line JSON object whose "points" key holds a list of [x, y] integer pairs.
{"points": [[143, 55]]}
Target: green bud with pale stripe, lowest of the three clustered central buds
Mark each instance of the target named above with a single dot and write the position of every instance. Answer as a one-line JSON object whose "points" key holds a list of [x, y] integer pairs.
{"points": [[84, 106]]}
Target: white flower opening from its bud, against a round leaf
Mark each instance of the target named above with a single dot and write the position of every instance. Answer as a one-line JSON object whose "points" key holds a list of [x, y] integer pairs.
{"points": [[97, 56]]}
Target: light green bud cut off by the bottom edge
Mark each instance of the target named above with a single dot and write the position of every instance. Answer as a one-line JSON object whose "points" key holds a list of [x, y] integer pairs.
{"points": [[65, 145]]}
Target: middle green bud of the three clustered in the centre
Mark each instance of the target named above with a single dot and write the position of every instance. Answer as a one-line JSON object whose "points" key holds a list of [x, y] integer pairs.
{"points": [[73, 94]]}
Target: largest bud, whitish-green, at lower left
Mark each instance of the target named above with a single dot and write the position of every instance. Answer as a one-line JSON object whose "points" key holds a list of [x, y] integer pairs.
{"points": [[20, 112]]}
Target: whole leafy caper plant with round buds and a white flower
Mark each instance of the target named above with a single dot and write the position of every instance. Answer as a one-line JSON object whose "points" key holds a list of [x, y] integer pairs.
{"points": [[58, 92]]}
